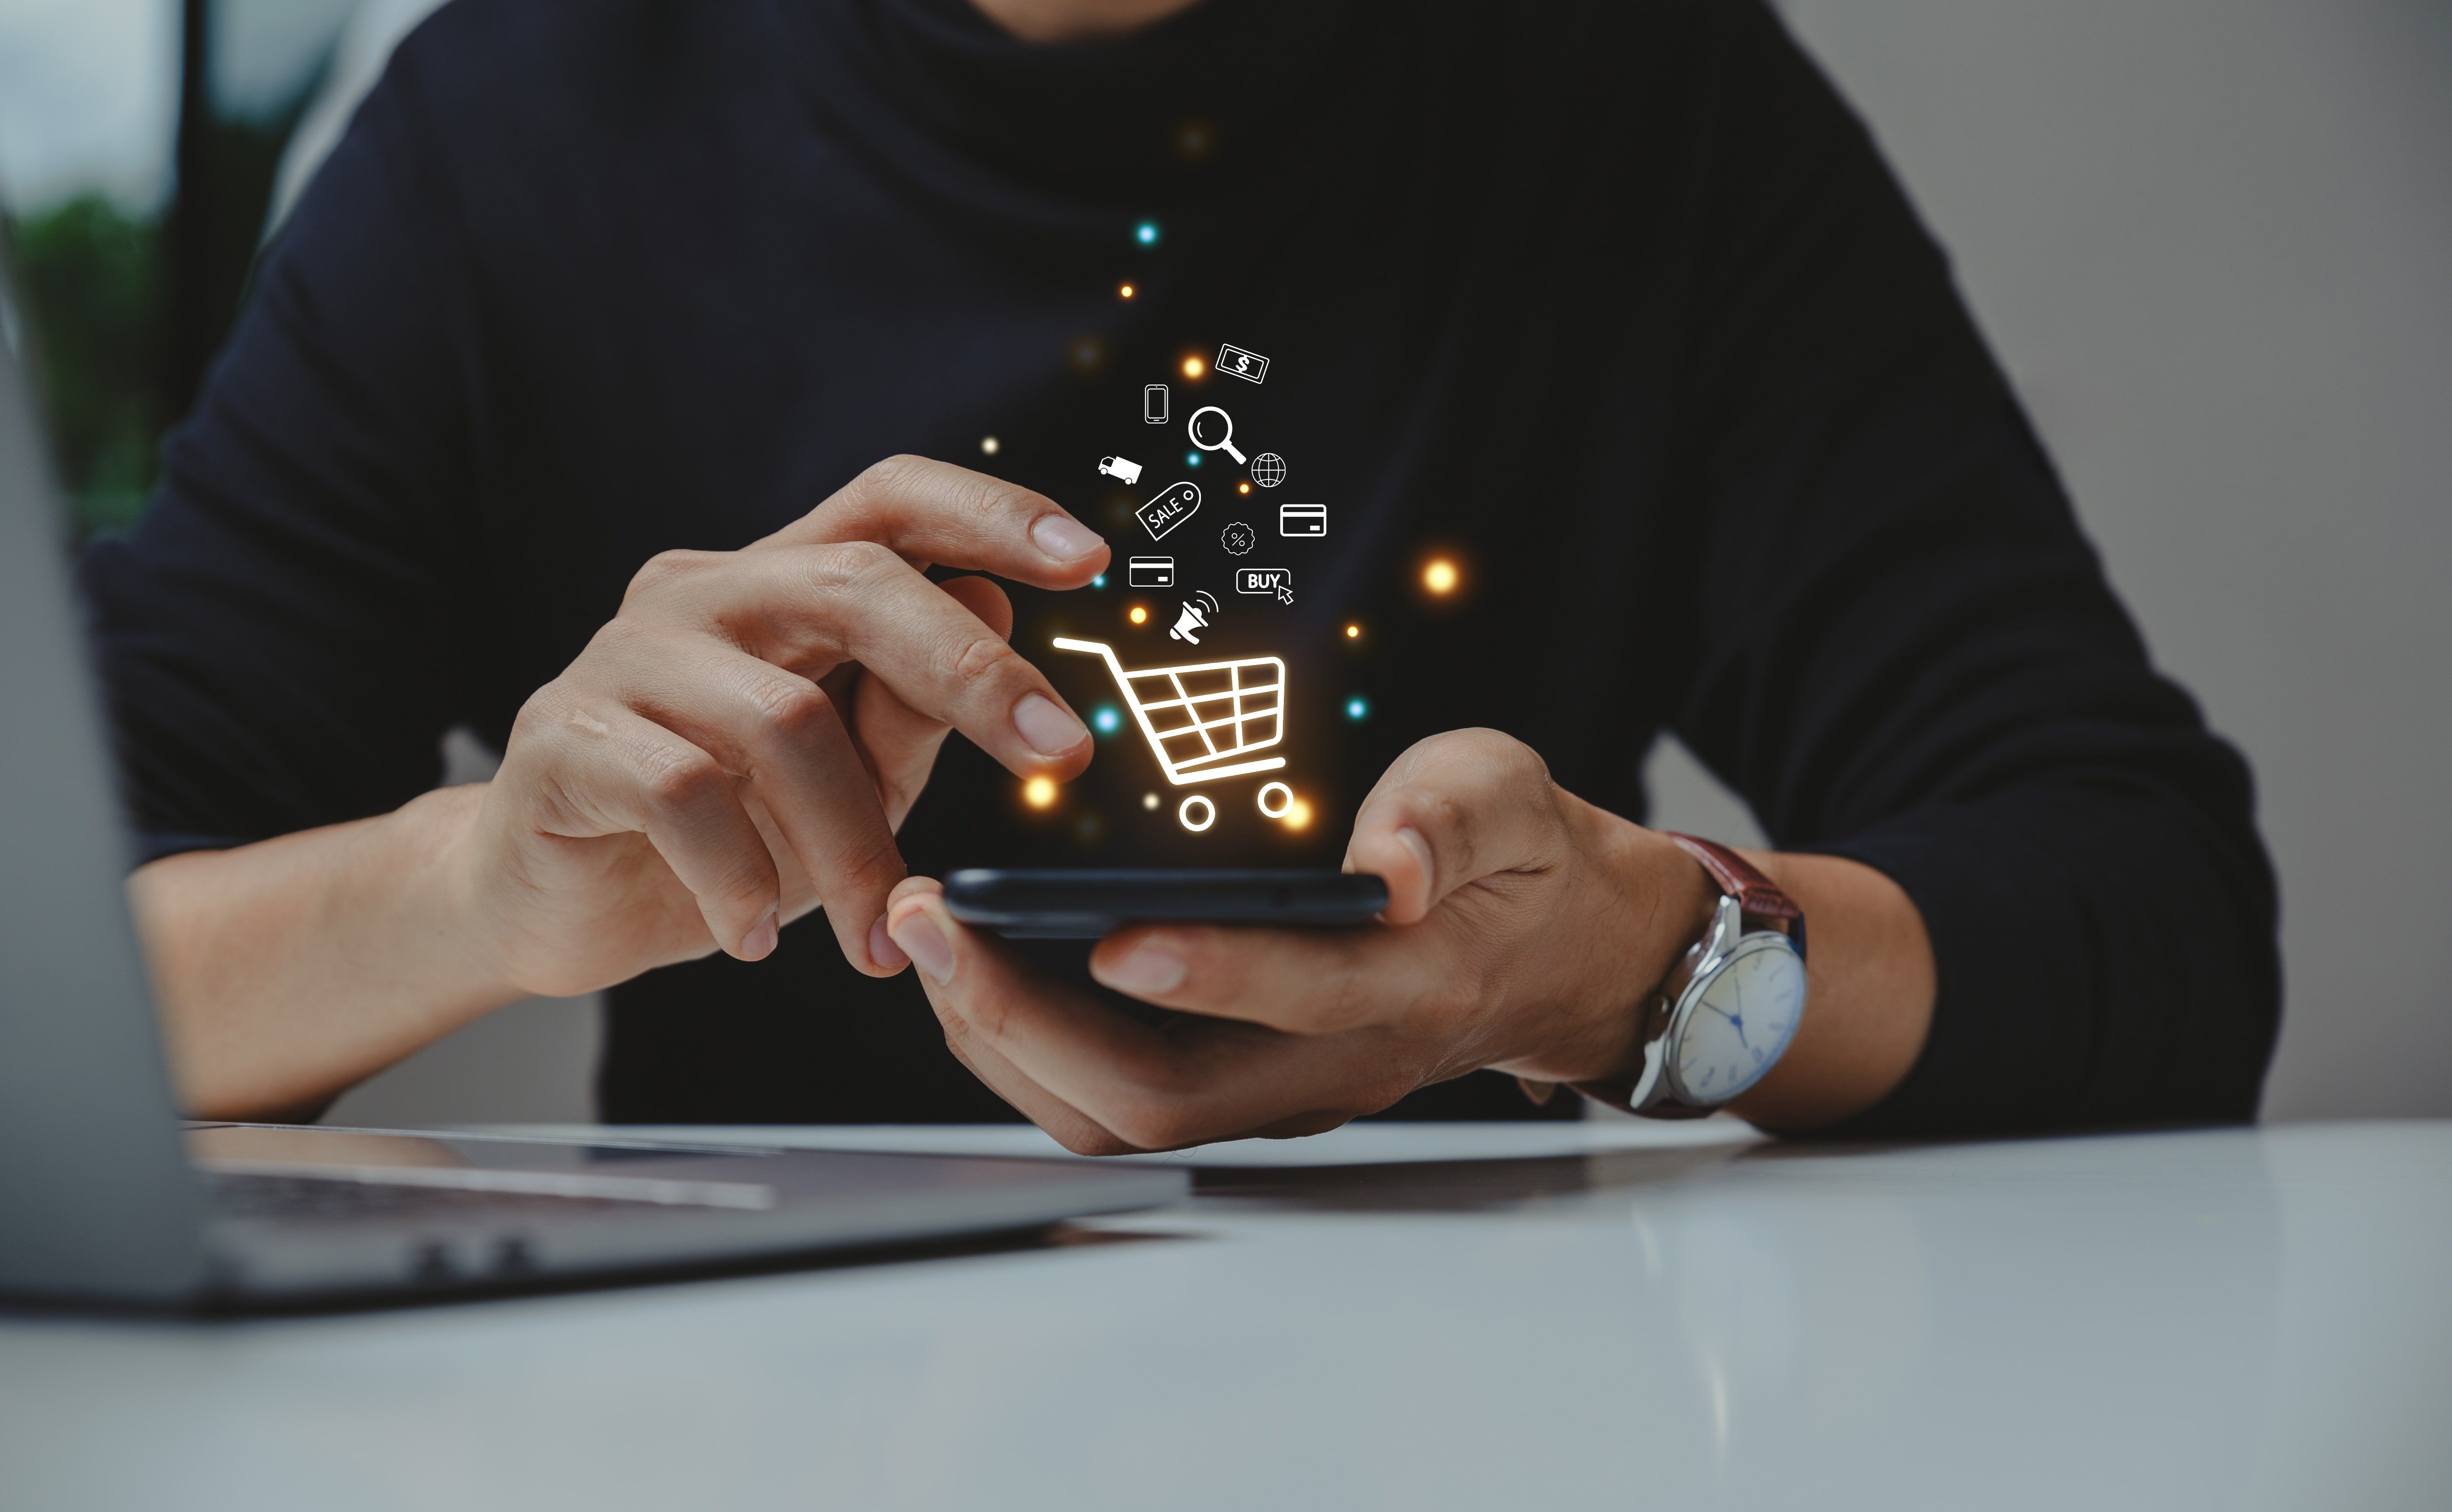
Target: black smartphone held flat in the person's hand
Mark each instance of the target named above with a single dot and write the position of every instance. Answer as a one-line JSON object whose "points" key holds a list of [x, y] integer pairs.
{"points": [[1095, 903]]}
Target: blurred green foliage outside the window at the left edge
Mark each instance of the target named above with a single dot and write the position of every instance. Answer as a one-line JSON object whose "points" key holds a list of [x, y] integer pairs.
{"points": [[89, 278]]}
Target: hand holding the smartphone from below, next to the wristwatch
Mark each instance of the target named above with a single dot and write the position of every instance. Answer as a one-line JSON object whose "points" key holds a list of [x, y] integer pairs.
{"points": [[1521, 932]]}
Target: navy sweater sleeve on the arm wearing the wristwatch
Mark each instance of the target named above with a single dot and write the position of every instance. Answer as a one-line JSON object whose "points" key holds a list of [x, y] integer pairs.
{"points": [[1914, 658]]}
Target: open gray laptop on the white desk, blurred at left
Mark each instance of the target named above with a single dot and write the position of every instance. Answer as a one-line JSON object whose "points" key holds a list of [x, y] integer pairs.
{"points": [[107, 1197]]}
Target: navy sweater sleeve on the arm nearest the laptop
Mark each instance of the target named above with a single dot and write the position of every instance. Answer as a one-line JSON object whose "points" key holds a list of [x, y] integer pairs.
{"points": [[278, 636]]}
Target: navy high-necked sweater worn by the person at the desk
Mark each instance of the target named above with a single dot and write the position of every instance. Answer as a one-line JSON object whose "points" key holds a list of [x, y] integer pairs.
{"points": [[1610, 305]]}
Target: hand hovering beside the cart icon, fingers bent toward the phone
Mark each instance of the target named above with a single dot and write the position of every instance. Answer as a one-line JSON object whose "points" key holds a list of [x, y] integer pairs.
{"points": [[742, 744]]}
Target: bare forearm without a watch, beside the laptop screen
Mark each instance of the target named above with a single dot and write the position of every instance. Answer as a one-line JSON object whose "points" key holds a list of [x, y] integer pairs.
{"points": [[298, 967]]}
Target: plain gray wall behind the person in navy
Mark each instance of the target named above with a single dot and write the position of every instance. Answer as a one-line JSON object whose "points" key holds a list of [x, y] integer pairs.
{"points": [[2213, 244]]}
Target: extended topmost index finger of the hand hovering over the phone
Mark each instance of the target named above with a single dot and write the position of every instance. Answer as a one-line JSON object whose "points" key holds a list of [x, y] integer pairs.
{"points": [[938, 513]]}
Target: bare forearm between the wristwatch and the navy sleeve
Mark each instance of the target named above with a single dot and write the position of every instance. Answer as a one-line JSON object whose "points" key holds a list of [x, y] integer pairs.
{"points": [[1870, 989]]}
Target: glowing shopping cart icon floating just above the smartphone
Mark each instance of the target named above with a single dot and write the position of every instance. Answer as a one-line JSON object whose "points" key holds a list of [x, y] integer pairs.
{"points": [[1205, 722]]}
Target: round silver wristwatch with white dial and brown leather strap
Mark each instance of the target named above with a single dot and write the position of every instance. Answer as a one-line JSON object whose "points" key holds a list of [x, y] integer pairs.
{"points": [[1730, 1008]]}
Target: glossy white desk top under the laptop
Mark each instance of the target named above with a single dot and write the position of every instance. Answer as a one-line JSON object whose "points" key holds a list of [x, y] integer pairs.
{"points": [[2237, 1320]]}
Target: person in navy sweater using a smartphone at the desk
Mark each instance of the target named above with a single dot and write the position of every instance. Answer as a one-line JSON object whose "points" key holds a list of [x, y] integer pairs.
{"points": [[1610, 308]]}
